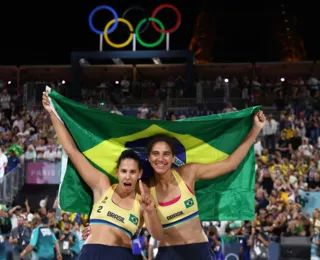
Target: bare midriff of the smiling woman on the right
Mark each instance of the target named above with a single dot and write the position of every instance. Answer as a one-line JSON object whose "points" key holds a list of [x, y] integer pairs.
{"points": [[189, 232]]}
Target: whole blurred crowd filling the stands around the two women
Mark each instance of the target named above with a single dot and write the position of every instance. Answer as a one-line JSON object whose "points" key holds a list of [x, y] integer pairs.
{"points": [[287, 159]]}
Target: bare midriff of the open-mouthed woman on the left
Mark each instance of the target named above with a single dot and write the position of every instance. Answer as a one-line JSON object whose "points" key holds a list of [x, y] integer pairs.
{"points": [[105, 235]]}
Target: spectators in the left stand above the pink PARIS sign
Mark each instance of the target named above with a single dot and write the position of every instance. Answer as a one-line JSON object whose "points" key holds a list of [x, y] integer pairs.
{"points": [[28, 129]]}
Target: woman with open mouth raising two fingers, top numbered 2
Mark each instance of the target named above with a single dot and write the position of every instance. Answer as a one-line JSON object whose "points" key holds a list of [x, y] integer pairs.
{"points": [[118, 210]]}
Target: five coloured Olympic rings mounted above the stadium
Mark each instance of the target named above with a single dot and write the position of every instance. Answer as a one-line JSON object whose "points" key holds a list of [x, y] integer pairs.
{"points": [[111, 26]]}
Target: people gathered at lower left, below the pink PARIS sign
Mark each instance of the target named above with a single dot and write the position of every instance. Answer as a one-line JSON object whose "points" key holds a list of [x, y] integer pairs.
{"points": [[19, 227]]}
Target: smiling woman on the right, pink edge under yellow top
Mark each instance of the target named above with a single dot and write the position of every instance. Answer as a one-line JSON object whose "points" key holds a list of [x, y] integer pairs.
{"points": [[173, 192]]}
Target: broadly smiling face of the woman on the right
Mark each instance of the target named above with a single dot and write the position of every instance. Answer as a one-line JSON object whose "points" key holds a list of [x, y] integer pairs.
{"points": [[161, 157]]}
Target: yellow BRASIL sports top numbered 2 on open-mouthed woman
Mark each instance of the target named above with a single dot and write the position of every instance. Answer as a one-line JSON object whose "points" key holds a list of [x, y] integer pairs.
{"points": [[105, 211]]}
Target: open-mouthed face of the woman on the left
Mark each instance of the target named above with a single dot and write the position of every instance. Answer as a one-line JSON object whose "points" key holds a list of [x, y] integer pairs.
{"points": [[128, 174]]}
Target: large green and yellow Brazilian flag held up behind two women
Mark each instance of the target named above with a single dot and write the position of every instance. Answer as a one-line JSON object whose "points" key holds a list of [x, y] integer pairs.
{"points": [[102, 136]]}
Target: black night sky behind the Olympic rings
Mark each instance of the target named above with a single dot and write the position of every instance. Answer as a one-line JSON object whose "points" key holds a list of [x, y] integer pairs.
{"points": [[47, 33]]}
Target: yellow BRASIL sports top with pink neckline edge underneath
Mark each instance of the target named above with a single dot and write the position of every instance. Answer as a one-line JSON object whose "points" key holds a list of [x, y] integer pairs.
{"points": [[178, 210]]}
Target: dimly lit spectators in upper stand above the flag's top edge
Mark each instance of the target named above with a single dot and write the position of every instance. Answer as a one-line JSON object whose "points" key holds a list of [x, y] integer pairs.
{"points": [[241, 91]]}
